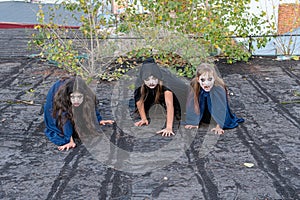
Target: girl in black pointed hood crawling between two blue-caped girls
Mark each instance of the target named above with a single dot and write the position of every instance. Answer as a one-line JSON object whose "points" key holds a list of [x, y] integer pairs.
{"points": [[152, 91]]}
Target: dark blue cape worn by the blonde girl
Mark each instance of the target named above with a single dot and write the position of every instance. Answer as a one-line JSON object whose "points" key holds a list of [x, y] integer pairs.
{"points": [[212, 104]]}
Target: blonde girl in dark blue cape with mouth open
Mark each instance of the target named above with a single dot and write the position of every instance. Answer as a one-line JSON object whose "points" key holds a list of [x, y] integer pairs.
{"points": [[208, 99]]}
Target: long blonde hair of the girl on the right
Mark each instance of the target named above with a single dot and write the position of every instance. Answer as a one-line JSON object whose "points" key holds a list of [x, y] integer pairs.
{"points": [[201, 69]]}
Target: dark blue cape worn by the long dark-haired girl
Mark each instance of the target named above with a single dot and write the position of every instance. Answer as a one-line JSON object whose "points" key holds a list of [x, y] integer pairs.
{"points": [[52, 131]]}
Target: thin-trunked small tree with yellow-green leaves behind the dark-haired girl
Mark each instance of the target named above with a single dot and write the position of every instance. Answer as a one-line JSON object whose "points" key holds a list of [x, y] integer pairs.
{"points": [[76, 50]]}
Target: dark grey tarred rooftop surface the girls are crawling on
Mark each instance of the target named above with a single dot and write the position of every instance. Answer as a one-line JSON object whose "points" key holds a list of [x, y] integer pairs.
{"points": [[257, 160]]}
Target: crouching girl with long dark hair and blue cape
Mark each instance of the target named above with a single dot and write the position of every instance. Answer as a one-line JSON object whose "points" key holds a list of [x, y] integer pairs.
{"points": [[64, 96]]}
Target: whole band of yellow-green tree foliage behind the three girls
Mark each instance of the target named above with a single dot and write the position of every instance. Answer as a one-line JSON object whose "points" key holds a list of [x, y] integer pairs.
{"points": [[171, 31]]}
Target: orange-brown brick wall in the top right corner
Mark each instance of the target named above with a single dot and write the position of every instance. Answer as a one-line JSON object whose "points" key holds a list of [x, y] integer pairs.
{"points": [[288, 17]]}
